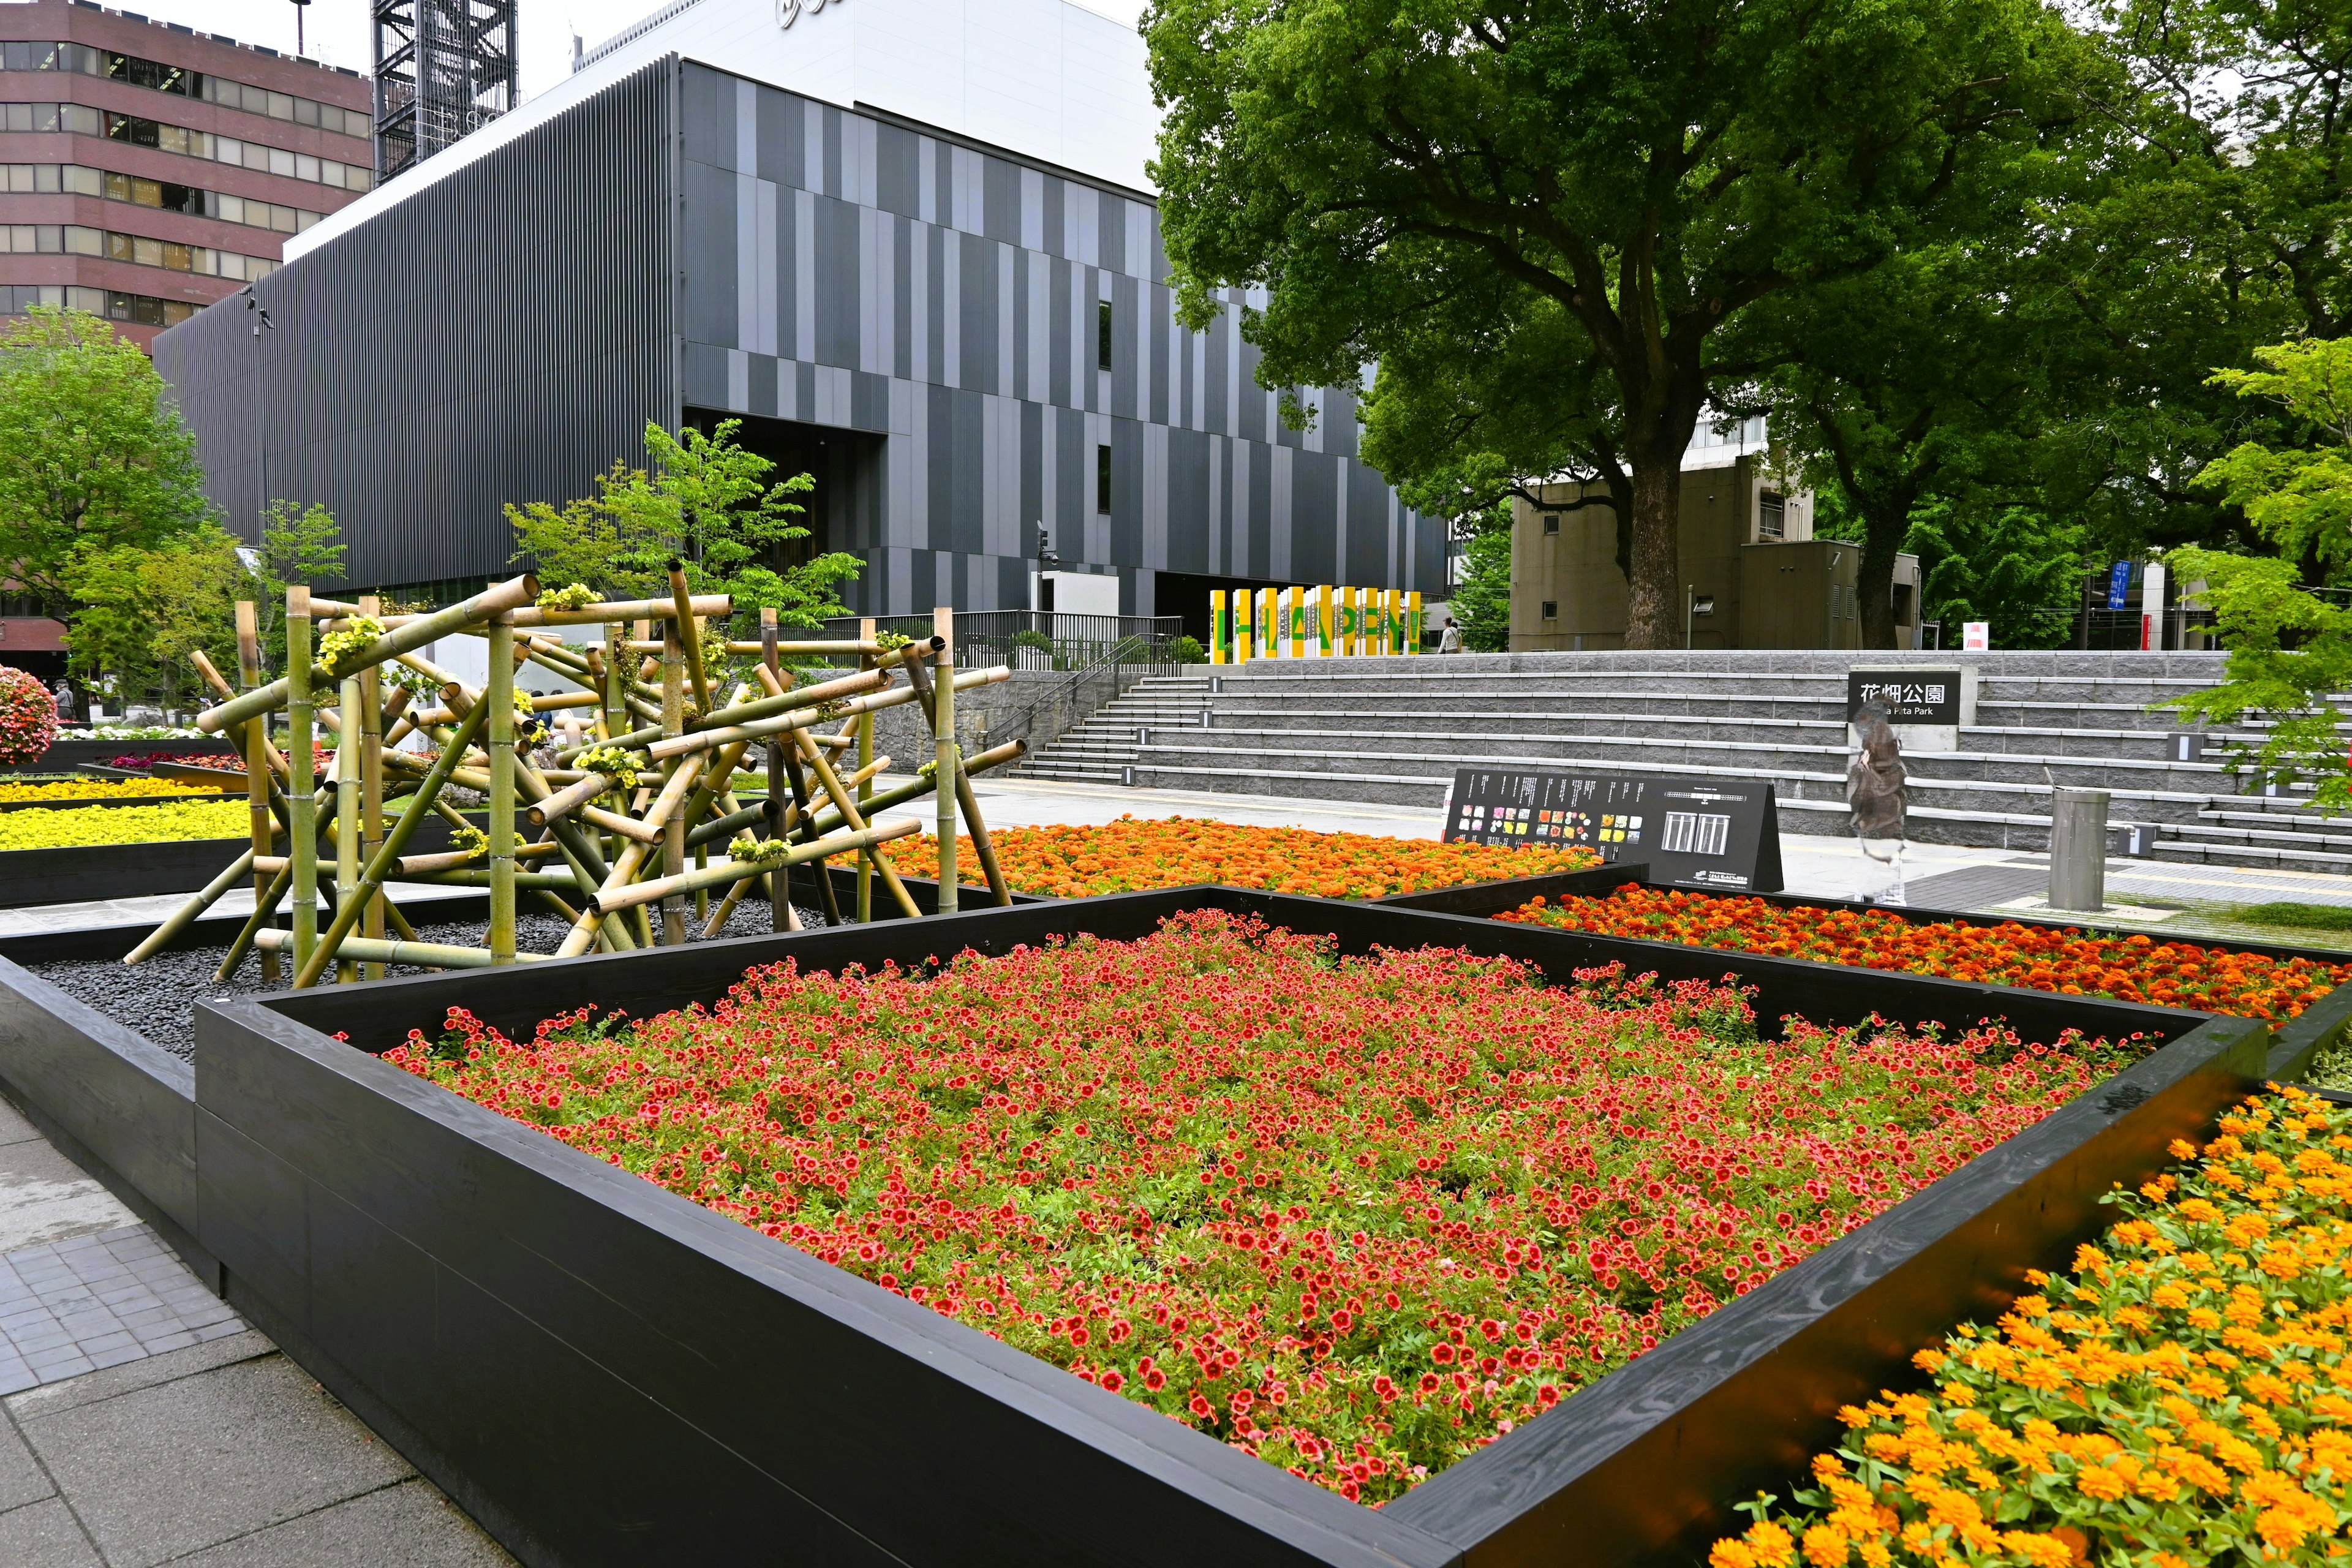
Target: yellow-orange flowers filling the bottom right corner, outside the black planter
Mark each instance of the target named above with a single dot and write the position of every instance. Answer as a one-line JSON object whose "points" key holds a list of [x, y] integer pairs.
{"points": [[2179, 1400]]}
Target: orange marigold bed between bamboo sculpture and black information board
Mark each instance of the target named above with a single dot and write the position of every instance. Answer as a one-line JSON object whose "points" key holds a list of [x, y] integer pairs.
{"points": [[1135, 855]]}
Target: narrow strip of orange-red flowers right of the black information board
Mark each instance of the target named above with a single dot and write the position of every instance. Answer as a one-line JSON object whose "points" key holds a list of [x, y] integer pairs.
{"points": [[2038, 958]]}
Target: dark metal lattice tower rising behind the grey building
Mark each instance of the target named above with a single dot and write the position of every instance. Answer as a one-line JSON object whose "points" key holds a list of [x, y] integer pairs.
{"points": [[443, 69]]}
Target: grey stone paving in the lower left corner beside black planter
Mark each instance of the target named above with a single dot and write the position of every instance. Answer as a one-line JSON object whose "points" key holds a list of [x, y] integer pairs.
{"points": [[145, 1423]]}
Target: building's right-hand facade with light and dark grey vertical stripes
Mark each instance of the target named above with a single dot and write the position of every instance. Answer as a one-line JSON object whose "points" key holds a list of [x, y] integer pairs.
{"points": [[860, 274]]}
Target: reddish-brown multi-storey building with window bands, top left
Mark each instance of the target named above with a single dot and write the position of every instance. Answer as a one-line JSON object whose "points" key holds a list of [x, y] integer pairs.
{"points": [[149, 170]]}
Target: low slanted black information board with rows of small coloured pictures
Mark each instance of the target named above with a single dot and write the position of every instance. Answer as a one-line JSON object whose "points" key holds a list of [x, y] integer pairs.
{"points": [[1699, 833]]}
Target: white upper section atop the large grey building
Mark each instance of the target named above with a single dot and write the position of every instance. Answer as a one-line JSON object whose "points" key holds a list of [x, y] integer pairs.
{"points": [[1041, 79]]}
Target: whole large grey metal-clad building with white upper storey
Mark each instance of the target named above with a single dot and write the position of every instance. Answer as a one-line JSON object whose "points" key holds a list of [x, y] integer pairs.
{"points": [[911, 243]]}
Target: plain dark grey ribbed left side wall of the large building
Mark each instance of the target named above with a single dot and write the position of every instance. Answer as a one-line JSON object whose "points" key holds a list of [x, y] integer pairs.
{"points": [[502, 335]]}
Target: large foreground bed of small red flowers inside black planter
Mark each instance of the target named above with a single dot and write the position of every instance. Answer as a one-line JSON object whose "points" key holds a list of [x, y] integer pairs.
{"points": [[1351, 1217]]}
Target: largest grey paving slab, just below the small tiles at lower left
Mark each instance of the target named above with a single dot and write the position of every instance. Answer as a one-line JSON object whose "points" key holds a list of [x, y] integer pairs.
{"points": [[199, 1461]]}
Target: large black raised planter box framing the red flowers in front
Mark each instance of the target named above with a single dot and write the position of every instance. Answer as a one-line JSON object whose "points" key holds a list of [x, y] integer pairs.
{"points": [[608, 1374]]}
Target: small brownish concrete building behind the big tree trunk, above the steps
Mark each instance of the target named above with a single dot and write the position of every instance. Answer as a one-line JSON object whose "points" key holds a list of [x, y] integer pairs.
{"points": [[1753, 572]]}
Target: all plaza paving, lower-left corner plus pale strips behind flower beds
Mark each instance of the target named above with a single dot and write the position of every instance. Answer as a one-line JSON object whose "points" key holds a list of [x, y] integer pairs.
{"points": [[145, 1423]]}
